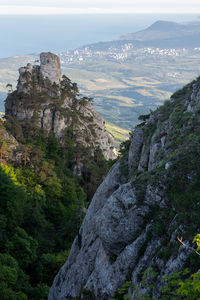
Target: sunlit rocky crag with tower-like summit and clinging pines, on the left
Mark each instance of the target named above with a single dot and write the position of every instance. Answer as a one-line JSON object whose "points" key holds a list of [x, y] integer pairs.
{"points": [[46, 102]]}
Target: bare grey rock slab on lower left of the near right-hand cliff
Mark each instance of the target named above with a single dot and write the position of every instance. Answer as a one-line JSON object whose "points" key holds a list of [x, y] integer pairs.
{"points": [[93, 264]]}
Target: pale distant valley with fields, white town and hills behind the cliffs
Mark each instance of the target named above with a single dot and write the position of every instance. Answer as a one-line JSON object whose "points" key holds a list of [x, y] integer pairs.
{"points": [[126, 78]]}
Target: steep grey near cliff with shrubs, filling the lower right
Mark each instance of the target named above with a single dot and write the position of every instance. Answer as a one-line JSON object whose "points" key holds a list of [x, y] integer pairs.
{"points": [[150, 197]]}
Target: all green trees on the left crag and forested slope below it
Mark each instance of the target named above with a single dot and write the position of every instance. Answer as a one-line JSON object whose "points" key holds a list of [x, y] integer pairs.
{"points": [[42, 200]]}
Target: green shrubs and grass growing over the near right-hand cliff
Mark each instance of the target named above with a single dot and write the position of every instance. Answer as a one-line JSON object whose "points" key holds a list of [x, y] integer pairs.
{"points": [[177, 173]]}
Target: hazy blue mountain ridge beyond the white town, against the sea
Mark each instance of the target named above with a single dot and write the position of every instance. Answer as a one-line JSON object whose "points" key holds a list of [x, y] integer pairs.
{"points": [[163, 34]]}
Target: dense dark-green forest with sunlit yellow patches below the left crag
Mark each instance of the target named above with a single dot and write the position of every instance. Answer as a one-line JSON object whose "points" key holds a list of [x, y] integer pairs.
{"points": [[41, 209]]}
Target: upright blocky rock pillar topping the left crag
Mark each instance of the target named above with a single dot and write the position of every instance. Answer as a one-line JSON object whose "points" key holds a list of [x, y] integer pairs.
{"points": [[50, 66]]}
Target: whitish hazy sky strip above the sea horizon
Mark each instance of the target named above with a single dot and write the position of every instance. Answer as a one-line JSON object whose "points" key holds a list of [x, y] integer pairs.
{"points": [[98, 6]]}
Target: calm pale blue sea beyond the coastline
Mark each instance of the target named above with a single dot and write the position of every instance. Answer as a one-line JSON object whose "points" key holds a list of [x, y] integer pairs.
{"points": [[34, 34]]}
